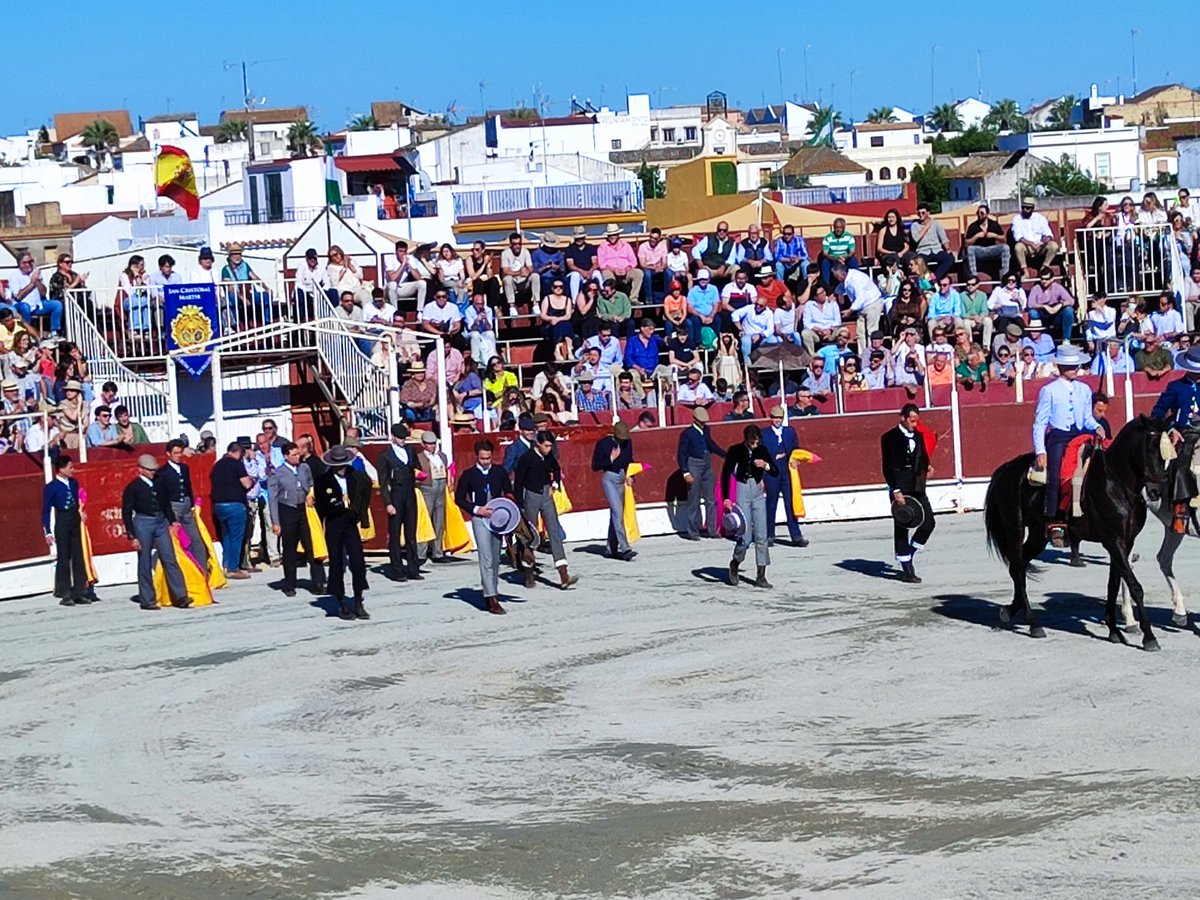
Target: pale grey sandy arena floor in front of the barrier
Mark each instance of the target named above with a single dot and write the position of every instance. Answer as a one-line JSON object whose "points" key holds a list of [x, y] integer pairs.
{"points": [[651, 734]]}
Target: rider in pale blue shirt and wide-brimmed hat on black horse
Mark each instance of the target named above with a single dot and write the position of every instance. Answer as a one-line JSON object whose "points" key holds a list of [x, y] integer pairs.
{"points": [[1064, 412]]}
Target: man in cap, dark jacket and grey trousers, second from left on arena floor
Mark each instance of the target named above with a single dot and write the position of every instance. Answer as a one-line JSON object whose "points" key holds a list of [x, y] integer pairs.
{"points": [[147, 520]]}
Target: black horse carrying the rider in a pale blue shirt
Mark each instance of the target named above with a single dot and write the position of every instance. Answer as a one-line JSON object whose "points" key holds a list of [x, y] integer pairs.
{"points": [[1114, 514]]}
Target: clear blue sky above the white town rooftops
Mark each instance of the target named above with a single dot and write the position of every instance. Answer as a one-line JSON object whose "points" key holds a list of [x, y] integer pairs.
{"points": [[98, 61]]}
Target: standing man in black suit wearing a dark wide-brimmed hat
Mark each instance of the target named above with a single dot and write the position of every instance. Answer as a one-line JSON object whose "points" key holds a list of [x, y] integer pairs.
{"points": [[343, 496]]}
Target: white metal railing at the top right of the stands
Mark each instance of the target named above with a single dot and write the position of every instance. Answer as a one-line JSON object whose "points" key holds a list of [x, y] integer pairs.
{"points": [[1130, 260]]}
